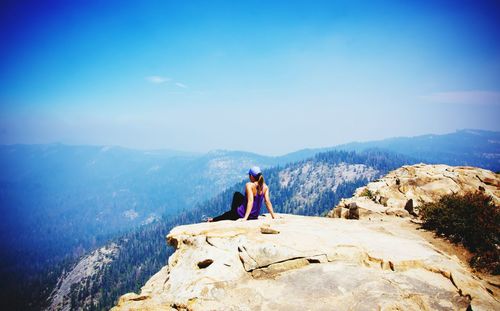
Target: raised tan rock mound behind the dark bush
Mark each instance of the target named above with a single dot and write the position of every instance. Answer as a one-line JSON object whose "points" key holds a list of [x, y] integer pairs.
{"points": [[400, 192]]}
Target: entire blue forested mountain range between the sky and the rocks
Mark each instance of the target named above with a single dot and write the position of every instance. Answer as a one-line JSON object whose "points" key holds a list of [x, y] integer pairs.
{"points": [[60, 203]]}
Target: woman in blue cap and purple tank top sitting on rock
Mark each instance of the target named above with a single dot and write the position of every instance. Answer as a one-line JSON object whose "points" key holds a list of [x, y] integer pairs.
{"points": [[248, 206]]}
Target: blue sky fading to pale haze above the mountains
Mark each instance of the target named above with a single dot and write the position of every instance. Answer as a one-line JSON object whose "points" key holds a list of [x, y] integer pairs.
{"points": [[262, 76]]}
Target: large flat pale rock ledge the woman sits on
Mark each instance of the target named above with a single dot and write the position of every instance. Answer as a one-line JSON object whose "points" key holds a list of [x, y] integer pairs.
{"points": [[308, 263]]}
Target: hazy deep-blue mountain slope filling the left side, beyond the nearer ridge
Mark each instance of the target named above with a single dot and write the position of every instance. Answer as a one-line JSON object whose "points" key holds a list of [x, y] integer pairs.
{"points": [[58, 202]]}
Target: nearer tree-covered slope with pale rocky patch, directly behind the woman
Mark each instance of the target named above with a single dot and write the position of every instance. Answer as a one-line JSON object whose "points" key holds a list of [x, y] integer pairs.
{"points": [[308, 187]]}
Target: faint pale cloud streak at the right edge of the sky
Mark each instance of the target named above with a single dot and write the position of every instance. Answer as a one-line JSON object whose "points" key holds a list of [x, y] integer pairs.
{"points": [[464, 97]]}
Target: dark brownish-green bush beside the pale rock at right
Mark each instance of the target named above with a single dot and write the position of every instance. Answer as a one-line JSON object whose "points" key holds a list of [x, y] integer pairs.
{"points": [[471, 219]]}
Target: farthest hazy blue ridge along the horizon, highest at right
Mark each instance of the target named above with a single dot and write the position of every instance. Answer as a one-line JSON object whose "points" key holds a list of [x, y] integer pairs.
{"points": [[474, 147]]}
